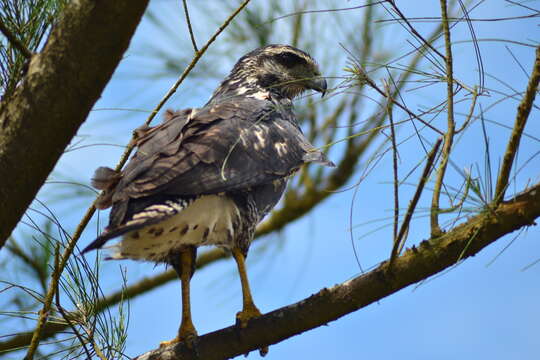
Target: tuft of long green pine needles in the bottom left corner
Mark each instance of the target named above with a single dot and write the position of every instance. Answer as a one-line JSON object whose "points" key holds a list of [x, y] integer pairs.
{"points": [[89, 331]]}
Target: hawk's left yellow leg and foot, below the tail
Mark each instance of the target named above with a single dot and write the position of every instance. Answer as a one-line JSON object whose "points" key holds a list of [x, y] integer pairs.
{"points": [[185, 268]]}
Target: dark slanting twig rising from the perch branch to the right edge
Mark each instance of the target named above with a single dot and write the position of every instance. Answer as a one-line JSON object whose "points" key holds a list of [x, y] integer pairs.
{"points": [[523, 112]]}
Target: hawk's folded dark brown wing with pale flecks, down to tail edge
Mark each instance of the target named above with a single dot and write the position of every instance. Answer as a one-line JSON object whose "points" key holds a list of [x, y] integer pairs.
{"points": [[224, 147]]}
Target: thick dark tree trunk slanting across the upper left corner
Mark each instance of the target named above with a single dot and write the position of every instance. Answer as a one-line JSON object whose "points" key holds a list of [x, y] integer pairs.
{"points": [[62, 84]]}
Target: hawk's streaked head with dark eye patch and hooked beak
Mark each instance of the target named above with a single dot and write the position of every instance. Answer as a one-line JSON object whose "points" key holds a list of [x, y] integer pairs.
{"points": [[281, 69]]}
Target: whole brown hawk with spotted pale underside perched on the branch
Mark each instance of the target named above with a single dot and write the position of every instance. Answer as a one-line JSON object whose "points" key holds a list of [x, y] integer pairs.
{"points": [[208, 176]]}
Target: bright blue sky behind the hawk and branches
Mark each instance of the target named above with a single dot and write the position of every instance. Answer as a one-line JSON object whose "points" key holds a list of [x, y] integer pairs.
{"points": [[479, 309]]}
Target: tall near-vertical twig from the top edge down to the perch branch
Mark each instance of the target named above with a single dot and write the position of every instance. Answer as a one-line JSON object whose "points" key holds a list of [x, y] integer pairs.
{"points": [[449, 135]]}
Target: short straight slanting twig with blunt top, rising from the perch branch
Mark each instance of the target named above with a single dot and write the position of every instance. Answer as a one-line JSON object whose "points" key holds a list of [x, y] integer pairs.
{"points": [[398, 243]]}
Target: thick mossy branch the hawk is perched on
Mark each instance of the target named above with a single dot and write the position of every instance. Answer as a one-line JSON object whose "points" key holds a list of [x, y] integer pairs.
{"points": [[416, 264]]}
